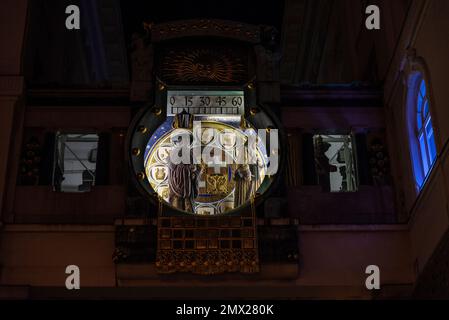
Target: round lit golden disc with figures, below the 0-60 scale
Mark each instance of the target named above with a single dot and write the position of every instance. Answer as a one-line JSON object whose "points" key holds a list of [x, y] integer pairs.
{"points": [[227, 173]]}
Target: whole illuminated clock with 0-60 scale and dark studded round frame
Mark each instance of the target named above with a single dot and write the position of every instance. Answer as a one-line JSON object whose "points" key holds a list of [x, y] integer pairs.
{"points": [[205, 152]]}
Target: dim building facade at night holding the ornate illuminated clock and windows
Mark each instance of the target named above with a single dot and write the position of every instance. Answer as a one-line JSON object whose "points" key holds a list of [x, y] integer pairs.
{"points": [[360, 116]]}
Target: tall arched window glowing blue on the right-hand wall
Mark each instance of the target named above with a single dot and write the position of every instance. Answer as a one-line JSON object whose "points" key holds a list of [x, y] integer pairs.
{"points": [[422, 138]]}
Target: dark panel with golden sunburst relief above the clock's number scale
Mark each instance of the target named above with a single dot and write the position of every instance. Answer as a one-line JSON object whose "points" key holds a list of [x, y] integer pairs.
{"points": [[202, 65]]}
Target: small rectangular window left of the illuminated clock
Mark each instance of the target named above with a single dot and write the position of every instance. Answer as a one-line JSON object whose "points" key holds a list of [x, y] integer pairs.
{"points": [[75, 162]]}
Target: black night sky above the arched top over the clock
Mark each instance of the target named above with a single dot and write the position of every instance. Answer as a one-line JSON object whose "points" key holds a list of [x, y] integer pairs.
{"points": [[268, 12]]}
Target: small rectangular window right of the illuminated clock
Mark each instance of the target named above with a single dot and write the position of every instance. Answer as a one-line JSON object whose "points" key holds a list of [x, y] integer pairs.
{"points": [[334, 162]]}
